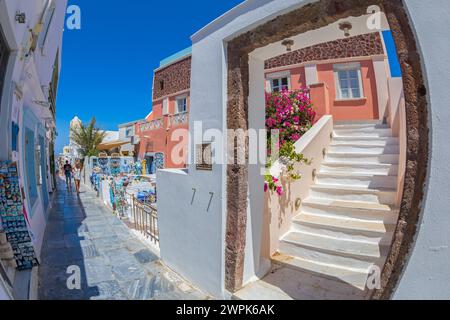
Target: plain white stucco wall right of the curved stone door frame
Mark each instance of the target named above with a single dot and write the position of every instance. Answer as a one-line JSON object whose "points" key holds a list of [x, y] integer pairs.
{"points": [[427, 274]]}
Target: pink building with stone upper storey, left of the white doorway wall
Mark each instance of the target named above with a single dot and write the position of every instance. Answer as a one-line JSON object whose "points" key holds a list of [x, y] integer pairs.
{"points": [[164, 134]]}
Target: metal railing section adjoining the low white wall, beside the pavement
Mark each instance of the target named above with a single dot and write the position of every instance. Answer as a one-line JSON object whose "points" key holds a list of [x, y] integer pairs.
{"points": [[145, 218]]}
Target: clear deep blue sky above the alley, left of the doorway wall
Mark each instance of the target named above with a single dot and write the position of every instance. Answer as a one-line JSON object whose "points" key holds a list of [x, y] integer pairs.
{"points": [[107, 66]]}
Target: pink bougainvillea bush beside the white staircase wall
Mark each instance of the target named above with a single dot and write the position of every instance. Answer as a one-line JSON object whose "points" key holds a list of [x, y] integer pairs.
{"points": [[292, 114]]}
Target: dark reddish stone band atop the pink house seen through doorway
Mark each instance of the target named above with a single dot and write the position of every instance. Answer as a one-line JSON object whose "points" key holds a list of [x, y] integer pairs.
{"points": [[357, 46]]}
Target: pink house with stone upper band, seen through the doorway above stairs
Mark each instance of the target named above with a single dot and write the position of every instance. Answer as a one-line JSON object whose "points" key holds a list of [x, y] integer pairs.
{"points": [[342, 76]]}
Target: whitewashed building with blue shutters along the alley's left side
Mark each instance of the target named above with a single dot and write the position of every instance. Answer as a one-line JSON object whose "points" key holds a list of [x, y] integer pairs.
{"points": [[30, 62]]}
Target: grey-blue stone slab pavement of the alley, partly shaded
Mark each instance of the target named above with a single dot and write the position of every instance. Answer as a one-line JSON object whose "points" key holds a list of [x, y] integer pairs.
{"points": [[114, 264]]}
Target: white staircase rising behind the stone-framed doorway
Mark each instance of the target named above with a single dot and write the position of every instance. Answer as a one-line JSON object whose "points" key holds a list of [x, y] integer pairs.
{"points": [[346, 225]]}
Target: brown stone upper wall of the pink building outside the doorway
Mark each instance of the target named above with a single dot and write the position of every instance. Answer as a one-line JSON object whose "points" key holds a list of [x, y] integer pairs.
{"points": [[176, 78]]}
